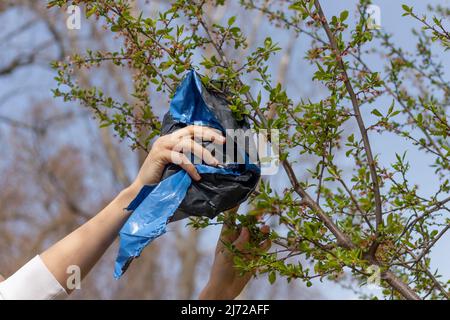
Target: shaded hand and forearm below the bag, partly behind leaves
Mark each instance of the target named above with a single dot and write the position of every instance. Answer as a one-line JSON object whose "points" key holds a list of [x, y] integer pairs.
{"points": [[226, 281]]}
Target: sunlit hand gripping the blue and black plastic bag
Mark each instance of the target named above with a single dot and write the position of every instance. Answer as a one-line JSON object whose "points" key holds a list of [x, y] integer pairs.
{"points": [[169, 149]]}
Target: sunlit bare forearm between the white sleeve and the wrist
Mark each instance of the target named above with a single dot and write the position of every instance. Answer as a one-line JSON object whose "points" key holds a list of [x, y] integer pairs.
{"points": [[85, 246]]}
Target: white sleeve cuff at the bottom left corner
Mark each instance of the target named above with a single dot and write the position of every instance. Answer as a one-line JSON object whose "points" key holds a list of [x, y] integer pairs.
{"points": [[32, 282]]}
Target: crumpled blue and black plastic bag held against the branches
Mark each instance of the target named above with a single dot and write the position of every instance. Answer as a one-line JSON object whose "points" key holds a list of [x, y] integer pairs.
{"points": [[177, 196]]}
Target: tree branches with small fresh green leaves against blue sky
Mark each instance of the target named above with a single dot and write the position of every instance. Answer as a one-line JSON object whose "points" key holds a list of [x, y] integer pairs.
{"points": [[360, 216]]}
